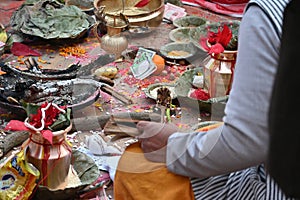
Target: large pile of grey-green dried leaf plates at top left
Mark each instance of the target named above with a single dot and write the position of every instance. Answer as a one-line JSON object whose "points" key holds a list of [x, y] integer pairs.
{"points": [[50, 19]]}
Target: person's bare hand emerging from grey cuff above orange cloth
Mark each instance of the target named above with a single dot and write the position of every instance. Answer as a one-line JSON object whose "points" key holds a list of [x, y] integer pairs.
{"points": [[154, 139]]}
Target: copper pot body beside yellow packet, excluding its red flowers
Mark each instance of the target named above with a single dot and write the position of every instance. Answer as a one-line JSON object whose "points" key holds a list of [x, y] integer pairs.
{"points": [[52, 160]]}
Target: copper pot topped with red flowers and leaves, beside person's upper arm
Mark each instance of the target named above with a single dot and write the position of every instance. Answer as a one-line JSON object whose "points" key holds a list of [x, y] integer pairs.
{"points": [[220, 41]]}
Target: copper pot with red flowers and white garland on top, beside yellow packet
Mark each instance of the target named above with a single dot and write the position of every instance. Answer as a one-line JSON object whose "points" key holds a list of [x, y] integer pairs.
{"points": [[47, 147]]}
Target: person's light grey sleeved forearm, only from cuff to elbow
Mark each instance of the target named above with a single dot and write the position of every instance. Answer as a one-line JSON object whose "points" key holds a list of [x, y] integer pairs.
{"points": [[212, 153]]}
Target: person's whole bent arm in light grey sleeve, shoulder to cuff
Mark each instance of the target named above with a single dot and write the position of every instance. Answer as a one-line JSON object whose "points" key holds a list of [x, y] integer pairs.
{"points": [[243, 141]]}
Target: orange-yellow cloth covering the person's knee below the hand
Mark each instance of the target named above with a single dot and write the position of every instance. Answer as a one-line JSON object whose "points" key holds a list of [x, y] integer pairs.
{"points": [[139, 179]]}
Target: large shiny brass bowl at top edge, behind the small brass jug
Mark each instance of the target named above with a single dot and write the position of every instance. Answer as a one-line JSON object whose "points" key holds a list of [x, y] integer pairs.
{"points": [[150, 15]]}
